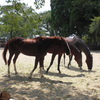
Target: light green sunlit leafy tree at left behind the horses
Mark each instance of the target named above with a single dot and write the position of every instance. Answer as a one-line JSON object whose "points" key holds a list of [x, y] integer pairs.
{"points": [[18, 20]]}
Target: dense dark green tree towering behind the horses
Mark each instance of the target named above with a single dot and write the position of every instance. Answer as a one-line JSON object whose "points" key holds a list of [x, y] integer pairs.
{"points": [[73, 16]]}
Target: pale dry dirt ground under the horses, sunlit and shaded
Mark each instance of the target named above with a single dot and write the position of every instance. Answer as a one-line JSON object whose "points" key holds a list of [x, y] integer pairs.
{"points": [[71, 84]]}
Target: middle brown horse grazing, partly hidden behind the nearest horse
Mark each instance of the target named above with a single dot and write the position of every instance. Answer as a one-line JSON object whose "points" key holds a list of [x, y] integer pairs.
{"points": [[74, 51]]}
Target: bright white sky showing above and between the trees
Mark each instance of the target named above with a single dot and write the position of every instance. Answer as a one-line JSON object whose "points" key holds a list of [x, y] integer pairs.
{"points": [[46, 7]]}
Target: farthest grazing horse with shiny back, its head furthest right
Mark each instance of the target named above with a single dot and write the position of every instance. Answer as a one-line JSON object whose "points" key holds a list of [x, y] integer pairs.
{"points": [[82, 47]]}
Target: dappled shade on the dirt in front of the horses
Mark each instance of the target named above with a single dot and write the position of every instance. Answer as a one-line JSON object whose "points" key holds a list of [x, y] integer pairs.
{"points": [[47, 89]]}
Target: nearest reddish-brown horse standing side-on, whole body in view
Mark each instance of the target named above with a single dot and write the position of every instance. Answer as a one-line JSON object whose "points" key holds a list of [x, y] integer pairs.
{"points": [[37, 47]]}
